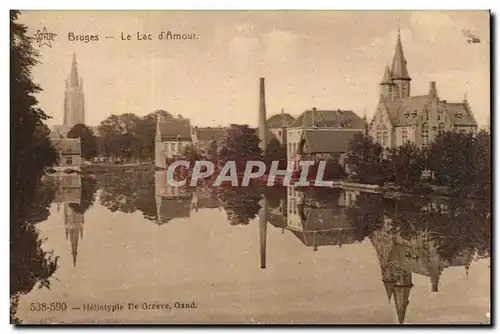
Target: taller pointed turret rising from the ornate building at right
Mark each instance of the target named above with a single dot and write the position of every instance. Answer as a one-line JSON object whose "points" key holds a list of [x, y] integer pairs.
{"points": [[399, 73]]}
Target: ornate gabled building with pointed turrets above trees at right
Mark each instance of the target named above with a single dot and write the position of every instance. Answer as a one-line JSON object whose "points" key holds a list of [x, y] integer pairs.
{"points": [[401, 117]]}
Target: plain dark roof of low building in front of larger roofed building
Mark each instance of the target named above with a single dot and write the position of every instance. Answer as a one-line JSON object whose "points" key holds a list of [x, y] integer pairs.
{"points": [[328, 141]]}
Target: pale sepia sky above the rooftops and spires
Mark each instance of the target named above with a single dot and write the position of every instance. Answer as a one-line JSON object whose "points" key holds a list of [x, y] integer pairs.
{"points": [[322, 59]]}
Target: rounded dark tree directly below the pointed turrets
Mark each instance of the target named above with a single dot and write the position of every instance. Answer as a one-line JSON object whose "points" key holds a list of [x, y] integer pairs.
{"points": [[407, 162]]}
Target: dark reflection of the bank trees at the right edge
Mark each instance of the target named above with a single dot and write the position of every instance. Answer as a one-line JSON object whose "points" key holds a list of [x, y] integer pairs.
{"points": [[456, 226]]}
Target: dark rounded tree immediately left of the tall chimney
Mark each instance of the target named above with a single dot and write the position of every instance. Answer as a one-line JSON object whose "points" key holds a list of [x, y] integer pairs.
{"points": [[240, 144]]}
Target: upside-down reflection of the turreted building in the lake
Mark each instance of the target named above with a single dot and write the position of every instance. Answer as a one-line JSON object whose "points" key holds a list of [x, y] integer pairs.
{"points": [[401, 257]]}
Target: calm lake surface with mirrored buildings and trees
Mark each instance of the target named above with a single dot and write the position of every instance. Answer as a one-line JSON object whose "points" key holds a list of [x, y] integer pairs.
{"points": [[296, 256]]}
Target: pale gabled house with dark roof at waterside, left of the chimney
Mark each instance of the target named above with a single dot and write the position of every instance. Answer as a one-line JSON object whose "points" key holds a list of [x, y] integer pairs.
{"points": [[172, 136]]}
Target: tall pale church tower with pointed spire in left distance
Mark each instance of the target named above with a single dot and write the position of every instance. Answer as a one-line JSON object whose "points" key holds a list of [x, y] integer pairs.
{"points": [[74, 108]]}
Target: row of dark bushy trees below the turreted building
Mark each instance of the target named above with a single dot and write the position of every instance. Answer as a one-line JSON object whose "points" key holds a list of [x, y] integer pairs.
{"points": [[457, 163]]}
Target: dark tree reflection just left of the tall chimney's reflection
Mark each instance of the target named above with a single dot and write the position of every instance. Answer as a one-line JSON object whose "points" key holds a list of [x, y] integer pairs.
{"points": [[240, 203]]}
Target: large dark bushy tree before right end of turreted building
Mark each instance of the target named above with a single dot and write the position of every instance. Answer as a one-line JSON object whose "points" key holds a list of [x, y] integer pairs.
{"points": [[451, 160]]}
